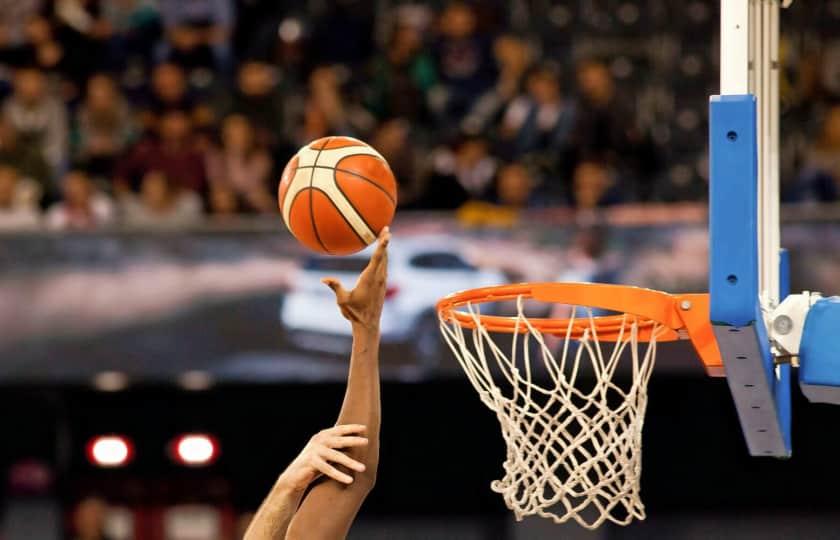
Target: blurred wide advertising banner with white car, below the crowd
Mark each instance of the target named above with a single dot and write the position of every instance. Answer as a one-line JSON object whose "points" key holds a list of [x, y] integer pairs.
{"points": [[243, 302]]}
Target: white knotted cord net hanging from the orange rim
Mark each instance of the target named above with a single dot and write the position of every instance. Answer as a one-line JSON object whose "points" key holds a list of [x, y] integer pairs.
{"points": [[573, 432]]}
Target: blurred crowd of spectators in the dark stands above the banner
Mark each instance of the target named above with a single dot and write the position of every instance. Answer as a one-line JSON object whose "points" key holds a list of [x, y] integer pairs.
{"points": [[162, 113]]}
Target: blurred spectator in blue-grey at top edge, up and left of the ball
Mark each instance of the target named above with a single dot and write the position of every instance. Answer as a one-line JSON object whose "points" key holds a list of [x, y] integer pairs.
{"points": [[198, 32]]}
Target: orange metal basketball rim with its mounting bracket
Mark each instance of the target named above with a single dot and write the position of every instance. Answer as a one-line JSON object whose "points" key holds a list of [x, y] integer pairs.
{"points": [[680, 315]]}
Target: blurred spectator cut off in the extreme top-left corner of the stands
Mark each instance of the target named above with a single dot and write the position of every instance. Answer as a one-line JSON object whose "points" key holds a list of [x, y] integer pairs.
{"points": [[18, 42]]}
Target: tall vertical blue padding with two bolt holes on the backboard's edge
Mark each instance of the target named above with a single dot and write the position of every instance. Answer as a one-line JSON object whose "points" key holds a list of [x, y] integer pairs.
{"points": [[733, 243]]}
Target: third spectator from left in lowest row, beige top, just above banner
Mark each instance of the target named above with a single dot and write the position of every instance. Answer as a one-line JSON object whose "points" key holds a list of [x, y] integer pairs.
{"points": [[160, 204]]}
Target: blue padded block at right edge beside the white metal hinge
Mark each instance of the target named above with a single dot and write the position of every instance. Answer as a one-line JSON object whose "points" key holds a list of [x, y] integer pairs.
{"points": [[820, 349]]}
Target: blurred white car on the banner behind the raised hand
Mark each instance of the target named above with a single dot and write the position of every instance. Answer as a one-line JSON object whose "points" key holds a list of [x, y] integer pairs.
{"points": [[421, 270]]}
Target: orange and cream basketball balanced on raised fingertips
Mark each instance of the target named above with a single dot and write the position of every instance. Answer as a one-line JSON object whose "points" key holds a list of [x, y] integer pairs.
{"points": [[336, 194]]}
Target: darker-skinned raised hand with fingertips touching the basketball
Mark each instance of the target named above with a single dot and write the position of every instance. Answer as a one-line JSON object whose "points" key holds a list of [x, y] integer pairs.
{"points": [[363, 305]]}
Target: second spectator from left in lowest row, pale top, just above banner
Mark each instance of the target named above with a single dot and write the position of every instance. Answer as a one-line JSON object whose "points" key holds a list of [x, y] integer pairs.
{"points": [[83, 207]]}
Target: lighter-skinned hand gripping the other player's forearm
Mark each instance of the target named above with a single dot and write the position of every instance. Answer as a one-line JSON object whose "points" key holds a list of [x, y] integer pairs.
{"points": [[321, 455]]}
